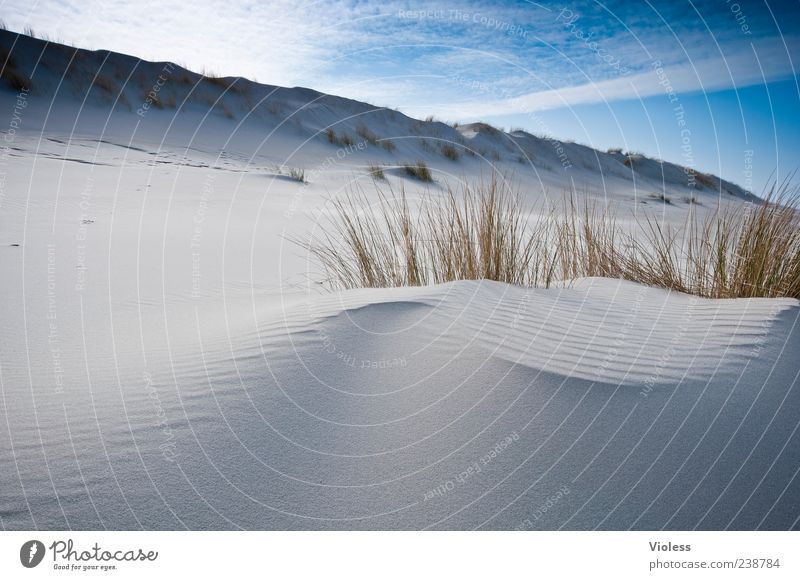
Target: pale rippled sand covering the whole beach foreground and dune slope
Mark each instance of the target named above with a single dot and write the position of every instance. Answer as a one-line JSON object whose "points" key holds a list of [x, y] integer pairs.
{"points": [[168, 360]]}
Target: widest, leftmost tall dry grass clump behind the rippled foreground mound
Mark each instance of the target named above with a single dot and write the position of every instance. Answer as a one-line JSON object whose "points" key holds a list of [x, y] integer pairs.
{"points": [[469, 234]]}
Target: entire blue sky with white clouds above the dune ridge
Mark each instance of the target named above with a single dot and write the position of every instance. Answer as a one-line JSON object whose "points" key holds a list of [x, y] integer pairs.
{"points": [[711, 84]]}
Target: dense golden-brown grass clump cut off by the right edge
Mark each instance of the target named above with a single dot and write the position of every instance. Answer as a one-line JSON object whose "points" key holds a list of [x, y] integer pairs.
{"points": [[749, 251]]}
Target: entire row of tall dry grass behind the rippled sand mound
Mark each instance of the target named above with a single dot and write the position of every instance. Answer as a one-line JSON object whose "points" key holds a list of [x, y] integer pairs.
{"points": [[484, 232]]}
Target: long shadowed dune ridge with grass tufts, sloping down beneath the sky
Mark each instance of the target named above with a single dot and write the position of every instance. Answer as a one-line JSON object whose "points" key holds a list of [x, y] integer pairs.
{"points": [[85, 92]]}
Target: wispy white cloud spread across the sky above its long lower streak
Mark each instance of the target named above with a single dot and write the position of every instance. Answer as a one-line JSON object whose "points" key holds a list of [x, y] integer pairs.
{"points": [[467, 58]]}
